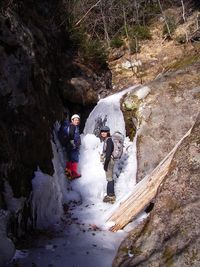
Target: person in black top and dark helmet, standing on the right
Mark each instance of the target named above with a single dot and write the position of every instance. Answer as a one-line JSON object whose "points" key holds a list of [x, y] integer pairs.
{"points": [[108, 163]]}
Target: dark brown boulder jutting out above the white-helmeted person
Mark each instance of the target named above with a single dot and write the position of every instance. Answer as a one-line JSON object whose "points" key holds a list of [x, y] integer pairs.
{"points": [[84, 86]]}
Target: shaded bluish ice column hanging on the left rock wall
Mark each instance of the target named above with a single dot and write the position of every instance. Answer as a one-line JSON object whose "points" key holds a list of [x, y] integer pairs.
{"points": [[51, 192]]}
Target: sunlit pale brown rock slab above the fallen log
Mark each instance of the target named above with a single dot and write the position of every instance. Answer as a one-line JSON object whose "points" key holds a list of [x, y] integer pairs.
{"points": [[164, 115]]}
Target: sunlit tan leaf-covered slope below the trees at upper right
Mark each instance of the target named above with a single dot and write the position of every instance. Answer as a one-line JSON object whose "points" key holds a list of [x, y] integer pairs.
{"points": [[157, 56]]}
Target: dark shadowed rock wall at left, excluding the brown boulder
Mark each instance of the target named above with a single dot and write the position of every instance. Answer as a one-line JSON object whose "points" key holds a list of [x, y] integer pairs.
{"points": [[29, 99]]}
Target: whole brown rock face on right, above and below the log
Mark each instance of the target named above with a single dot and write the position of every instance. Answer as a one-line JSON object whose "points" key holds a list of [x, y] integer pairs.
{"points": [[170, 235]]}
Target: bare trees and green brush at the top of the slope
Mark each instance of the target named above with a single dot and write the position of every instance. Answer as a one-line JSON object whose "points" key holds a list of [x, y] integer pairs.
{"points": [[98, 25]]}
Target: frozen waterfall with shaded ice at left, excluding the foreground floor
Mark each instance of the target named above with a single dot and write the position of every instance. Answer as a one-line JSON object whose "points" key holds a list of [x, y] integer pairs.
{"points": [[51, 192]]}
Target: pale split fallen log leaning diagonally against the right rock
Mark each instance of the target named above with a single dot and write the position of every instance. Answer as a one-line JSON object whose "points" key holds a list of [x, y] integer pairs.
{"points": [[143, 193]]}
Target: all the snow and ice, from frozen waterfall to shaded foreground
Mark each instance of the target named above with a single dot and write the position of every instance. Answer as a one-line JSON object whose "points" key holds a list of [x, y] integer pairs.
{"points": [[84, 239]]}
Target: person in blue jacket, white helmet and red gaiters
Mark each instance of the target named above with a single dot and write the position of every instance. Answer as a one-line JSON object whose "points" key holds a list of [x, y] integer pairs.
{"points": [[73, 146]]}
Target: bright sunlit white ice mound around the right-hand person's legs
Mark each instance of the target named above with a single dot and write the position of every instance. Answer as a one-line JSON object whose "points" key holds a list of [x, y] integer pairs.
{"points": [[92, 185]]}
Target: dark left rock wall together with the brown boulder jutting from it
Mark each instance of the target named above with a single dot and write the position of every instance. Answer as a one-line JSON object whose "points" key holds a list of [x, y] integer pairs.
{"points": [[37, 67]]}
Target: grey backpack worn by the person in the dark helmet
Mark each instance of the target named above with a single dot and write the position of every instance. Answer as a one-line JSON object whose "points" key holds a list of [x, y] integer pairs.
{"points": [[118, 141]]}
